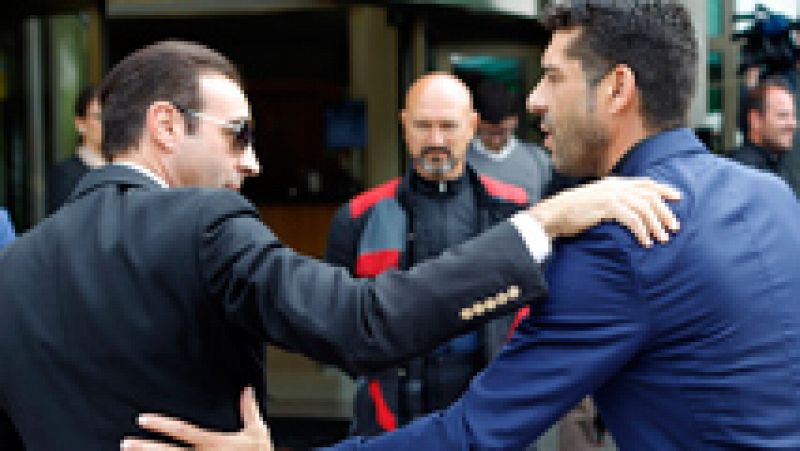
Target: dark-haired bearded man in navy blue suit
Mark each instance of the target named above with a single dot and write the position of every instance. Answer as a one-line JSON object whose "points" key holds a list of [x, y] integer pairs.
{"points": [[689, 345]]}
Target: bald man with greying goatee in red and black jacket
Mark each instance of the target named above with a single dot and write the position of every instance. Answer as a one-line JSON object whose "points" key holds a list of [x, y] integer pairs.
{"points": [[438, 203]]}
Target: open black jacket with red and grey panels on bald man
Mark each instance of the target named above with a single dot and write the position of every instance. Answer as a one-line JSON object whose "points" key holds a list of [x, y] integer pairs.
{"points": [[369, 235]]}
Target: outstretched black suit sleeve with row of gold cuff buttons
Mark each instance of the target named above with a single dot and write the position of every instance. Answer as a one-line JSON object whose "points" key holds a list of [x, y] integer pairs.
{"points": [[362, 325]]}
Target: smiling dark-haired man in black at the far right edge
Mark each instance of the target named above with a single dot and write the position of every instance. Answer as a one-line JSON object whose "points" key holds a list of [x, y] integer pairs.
{"points": [[771, 125]]}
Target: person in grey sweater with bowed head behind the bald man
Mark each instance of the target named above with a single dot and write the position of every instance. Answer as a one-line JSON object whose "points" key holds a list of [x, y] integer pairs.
{"points": [[496, 151]]}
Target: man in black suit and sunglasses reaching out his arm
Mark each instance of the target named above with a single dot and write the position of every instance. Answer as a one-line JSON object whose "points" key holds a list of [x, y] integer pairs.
{"points": [[142, 293]]}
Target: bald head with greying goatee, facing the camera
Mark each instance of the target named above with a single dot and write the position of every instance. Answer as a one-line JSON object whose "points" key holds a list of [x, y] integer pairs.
{"points": [[438, 121]]}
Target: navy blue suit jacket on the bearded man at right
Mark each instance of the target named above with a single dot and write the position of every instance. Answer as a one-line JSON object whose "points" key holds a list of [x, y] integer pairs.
{"points": [[691, 345]]}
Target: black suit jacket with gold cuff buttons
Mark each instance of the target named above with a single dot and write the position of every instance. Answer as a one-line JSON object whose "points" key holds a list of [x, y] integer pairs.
{"points": [[135, 298]]}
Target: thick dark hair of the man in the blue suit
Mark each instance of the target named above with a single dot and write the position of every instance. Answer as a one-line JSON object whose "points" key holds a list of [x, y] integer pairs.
{"points": [[654, 38]]}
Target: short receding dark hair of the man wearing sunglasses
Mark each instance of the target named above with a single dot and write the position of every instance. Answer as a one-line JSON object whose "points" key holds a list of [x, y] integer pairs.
{"points": [[166, 71]]}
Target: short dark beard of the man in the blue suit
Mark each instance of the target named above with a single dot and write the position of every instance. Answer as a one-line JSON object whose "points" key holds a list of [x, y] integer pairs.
{"points": [[579, 146]]}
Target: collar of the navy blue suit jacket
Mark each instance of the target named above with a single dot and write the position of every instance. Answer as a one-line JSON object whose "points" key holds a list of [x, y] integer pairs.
{"points": [[654, 149]]}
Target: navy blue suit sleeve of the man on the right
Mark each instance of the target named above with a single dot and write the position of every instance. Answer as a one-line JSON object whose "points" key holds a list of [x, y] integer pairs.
{"points": [[592, 325]]}
